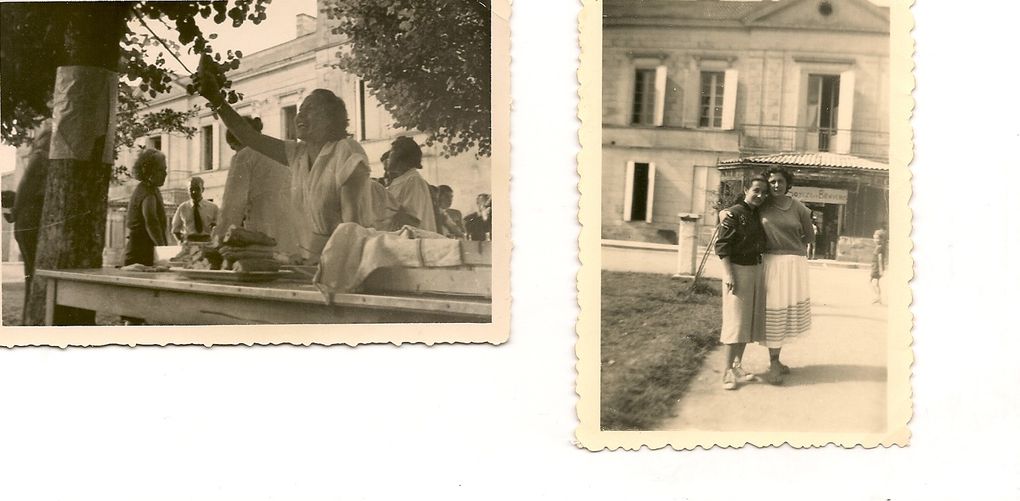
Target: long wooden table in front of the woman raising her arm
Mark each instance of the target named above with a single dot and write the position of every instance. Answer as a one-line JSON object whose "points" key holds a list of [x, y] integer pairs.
{"points": [[167, 298]]}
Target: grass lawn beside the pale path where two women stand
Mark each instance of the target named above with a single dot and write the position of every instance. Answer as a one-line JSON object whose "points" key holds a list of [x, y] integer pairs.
{"points": [[653, 343]]}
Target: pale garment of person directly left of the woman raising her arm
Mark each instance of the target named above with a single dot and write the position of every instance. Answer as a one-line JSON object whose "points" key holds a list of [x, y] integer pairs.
{"points": [[258, 197]]}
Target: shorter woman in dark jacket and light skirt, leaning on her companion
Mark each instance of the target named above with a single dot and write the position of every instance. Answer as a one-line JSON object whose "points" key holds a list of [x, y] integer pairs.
{"points": [[740, 246]]}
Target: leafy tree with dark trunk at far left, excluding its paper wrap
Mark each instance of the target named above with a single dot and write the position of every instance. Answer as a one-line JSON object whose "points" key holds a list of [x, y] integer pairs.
{"points": [[40, 37]]}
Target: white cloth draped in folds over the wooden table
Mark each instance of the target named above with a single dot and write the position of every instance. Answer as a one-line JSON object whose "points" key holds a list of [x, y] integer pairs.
{"points": [[354, 253]]}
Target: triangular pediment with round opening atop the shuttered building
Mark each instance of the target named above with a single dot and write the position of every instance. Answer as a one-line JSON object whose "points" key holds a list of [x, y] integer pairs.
{"points": [[858, 16]]}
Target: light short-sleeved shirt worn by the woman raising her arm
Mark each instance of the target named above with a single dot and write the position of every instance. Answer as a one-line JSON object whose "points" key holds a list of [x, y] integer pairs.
{"points": [[336, 188]]}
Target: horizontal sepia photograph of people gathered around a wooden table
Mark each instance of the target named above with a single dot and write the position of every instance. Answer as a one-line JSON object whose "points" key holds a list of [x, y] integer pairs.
{"points": [[320, 163]]}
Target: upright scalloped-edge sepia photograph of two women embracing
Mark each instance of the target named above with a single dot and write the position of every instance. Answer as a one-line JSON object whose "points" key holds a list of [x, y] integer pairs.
{"points": [[746, 226]]}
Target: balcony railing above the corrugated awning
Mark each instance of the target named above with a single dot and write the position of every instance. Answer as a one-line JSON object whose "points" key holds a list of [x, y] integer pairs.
{"points": [[754, 139]]}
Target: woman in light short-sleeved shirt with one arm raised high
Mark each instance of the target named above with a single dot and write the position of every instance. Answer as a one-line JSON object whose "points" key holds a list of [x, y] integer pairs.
{"points": [[330, 174]]}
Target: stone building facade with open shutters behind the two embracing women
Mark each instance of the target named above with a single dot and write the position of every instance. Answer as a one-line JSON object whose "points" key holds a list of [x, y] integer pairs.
{"points": [[695, 89]]}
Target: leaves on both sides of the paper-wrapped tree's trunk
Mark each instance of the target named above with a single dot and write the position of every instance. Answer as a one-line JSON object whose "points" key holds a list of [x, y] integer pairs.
{"points": [[33, 45]]}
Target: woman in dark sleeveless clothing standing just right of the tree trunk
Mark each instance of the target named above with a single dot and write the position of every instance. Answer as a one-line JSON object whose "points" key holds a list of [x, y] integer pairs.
{"points": [[146, 215]]}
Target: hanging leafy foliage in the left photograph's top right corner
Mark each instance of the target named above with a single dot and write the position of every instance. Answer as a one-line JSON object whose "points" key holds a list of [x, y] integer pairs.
{"points": [[429, 62]]}
